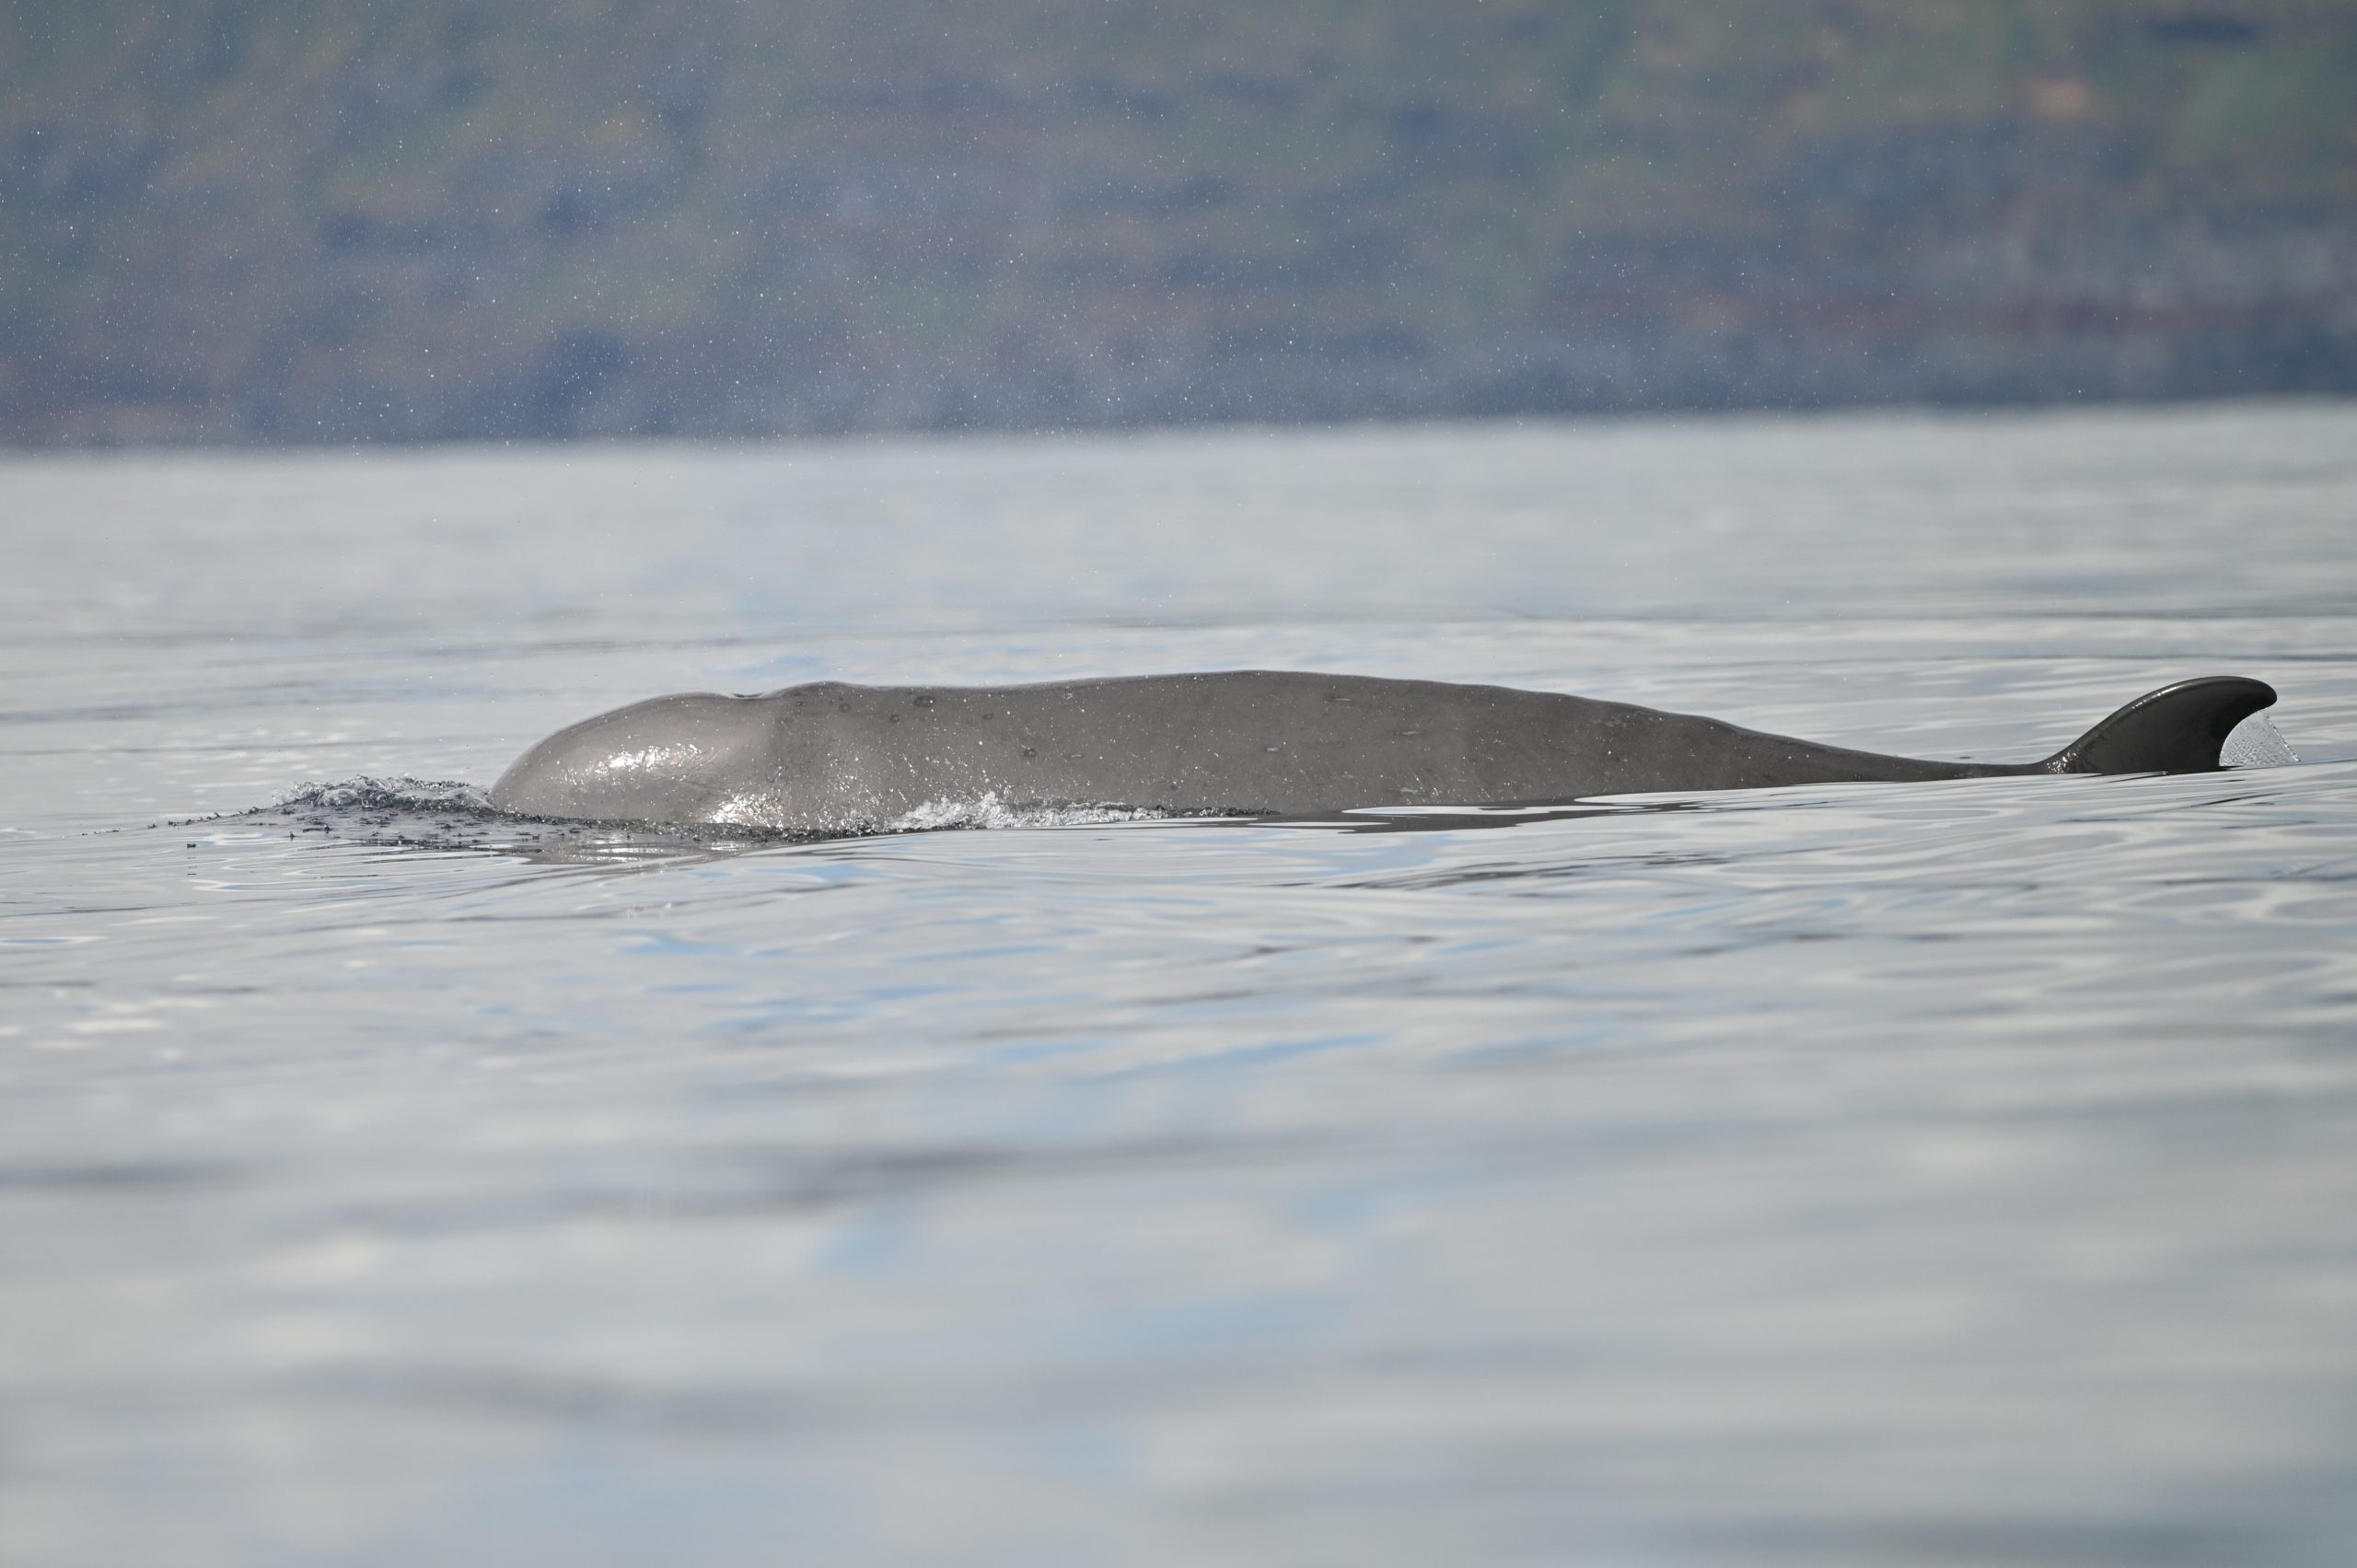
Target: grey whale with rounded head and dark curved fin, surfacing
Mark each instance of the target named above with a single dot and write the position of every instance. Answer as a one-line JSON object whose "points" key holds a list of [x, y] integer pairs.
{"points": [[833, 758]]}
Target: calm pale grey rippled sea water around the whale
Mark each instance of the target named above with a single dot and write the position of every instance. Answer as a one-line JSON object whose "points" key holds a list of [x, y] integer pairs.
{"points": [[1884, 1175]]}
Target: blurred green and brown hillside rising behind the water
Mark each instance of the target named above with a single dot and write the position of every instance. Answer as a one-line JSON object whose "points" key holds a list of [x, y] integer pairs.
{"points": [[324, 220]]}
